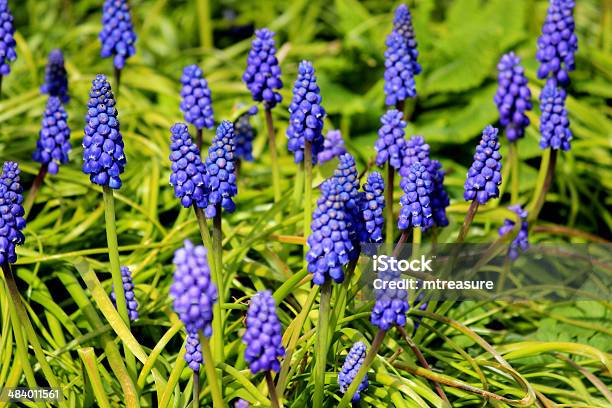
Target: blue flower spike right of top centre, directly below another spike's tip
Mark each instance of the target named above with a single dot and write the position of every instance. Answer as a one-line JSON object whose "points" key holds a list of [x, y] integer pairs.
{"points": [[399, 75]]}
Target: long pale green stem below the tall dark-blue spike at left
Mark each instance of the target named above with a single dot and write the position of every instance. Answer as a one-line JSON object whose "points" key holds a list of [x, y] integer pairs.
{"points": [[115, 267]]}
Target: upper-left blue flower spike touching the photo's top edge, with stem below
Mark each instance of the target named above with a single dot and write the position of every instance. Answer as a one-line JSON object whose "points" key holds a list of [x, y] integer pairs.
{"points": [[117, 35]]}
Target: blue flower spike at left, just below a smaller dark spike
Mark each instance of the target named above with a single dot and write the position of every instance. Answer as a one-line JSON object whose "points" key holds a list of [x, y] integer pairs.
{"points": [[53, 143]]}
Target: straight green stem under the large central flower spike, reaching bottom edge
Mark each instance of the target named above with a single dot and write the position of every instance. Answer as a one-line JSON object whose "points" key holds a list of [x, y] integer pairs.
{"points": [[321, 346]]}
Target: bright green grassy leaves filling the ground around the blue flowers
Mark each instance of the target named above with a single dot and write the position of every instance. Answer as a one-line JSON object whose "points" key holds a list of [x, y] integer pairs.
{"points": [[460, 42]]}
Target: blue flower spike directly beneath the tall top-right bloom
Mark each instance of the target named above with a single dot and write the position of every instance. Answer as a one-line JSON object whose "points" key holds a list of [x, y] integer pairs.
{"points": [[554, 123]]}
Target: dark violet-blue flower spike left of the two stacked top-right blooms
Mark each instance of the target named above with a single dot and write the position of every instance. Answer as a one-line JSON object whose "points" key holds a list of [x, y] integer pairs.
{"points": [[513, 97]]}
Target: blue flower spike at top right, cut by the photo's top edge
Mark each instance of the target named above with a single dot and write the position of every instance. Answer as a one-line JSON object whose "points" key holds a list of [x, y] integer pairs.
{"points": [[558, 42]]}
